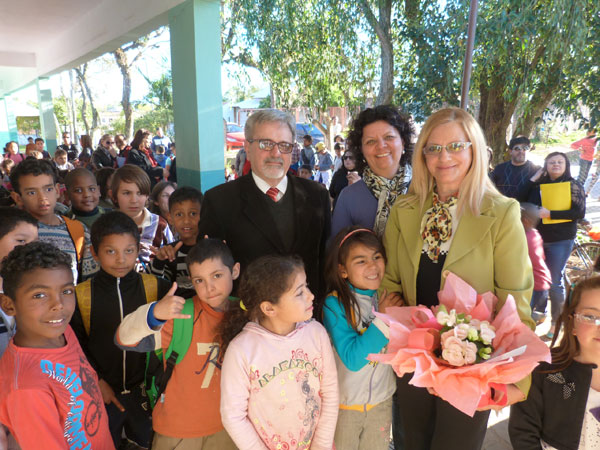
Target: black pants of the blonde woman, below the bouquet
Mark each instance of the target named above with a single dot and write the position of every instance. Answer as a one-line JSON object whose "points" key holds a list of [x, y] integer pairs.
{"points": [[430, 423]]}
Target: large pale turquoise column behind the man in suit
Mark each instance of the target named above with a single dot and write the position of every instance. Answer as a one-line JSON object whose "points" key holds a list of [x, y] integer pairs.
{"points": [[195, 27]]}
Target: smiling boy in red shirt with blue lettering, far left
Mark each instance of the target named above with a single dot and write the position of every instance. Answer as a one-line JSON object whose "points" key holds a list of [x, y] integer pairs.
{"points": [[49, 393]]}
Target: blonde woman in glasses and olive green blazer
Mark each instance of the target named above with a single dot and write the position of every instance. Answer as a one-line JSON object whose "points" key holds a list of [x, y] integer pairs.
{"points": [[453, 219]]}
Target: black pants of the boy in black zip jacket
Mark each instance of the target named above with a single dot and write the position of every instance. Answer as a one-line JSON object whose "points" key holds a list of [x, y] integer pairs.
{"points": [[135, 420]]}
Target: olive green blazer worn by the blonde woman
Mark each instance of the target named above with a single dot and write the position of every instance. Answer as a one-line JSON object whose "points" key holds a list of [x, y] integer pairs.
{"points": [[488, 251]]}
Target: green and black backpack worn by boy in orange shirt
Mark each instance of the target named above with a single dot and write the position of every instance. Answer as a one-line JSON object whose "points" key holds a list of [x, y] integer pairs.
{"points": [[158, 372]]}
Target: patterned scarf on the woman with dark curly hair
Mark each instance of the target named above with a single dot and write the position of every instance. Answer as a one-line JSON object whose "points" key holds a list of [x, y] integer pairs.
{"points": [[386, 191]]}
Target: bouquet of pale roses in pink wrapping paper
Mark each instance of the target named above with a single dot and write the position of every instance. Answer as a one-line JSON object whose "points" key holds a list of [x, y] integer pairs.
{"points": [[463, 347]]}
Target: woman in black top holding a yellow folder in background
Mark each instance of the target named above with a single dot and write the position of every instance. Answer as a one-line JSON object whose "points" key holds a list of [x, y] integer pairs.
{"points": [[562, 202]]}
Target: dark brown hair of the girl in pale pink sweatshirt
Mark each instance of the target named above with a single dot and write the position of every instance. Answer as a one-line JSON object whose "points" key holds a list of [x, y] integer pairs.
{"points": [[265, 280]]}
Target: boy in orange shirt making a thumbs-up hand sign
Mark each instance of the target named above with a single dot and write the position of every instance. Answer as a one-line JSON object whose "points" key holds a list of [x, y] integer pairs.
{"points": [[189, 408]]}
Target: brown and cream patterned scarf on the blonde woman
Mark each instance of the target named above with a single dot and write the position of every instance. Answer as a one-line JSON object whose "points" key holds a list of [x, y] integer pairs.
{"points": [[438, 225]]}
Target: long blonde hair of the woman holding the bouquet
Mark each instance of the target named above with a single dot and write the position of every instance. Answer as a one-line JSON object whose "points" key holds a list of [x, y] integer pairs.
{"points": [[476, 183]]}
